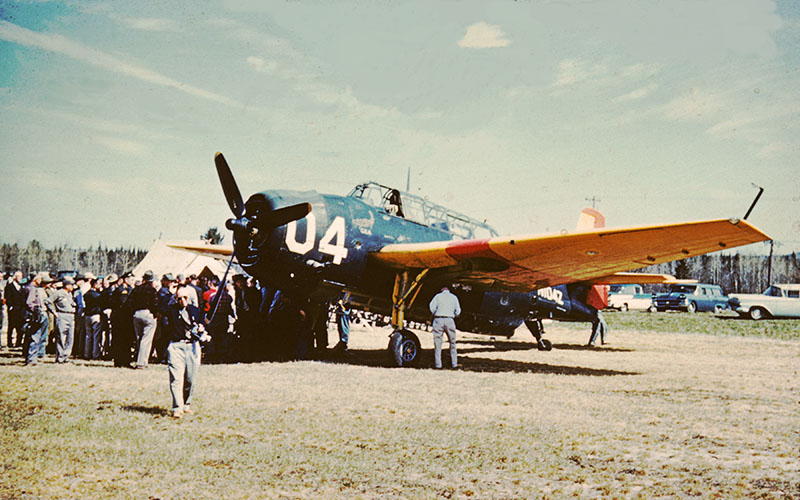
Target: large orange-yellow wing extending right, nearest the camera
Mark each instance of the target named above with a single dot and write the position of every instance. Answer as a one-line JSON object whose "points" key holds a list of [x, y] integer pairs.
{"points": [[537, 261]]}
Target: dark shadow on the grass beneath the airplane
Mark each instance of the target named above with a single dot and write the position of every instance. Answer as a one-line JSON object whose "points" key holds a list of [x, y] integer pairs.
{"points": [[378, 358]]}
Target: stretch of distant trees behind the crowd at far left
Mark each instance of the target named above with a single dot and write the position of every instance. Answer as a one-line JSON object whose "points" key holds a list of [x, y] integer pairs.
{"points": [[99, 260]]}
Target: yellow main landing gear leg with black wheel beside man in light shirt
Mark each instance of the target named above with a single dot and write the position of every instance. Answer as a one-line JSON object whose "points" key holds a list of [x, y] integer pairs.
{"points": [[404, 347]]}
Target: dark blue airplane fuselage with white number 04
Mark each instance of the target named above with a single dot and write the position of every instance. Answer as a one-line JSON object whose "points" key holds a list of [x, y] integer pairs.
{"points": [[327, 253]]}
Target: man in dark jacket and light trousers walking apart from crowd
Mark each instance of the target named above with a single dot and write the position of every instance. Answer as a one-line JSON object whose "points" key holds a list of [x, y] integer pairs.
{"points": [[184, 331]]}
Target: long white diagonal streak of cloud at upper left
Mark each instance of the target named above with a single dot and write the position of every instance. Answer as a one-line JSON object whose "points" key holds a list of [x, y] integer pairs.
{"points": [[61, 45]]}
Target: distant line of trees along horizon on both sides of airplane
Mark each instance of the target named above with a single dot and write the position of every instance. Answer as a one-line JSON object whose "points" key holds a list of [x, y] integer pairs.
{"points": [[735, 273]]}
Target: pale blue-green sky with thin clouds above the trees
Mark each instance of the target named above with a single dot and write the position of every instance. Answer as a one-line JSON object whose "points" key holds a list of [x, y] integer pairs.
{"points": [[514, 112]]}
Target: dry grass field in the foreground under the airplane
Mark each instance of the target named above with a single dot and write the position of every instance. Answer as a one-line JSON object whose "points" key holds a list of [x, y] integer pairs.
{"points": [[657, 413]]}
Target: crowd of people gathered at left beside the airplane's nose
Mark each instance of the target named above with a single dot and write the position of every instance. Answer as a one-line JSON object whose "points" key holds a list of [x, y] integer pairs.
{"points": [[127, 319]]}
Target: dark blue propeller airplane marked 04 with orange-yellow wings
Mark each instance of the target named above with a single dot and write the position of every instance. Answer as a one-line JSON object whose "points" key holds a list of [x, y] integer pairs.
{"points": [[391, 251]]}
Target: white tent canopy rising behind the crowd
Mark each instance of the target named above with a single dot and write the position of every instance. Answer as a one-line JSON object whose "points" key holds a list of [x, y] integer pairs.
{"points": [[162, 259]]}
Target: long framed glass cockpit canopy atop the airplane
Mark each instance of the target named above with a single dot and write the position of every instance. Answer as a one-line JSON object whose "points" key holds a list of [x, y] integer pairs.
{"points": [[421, 211]]}
